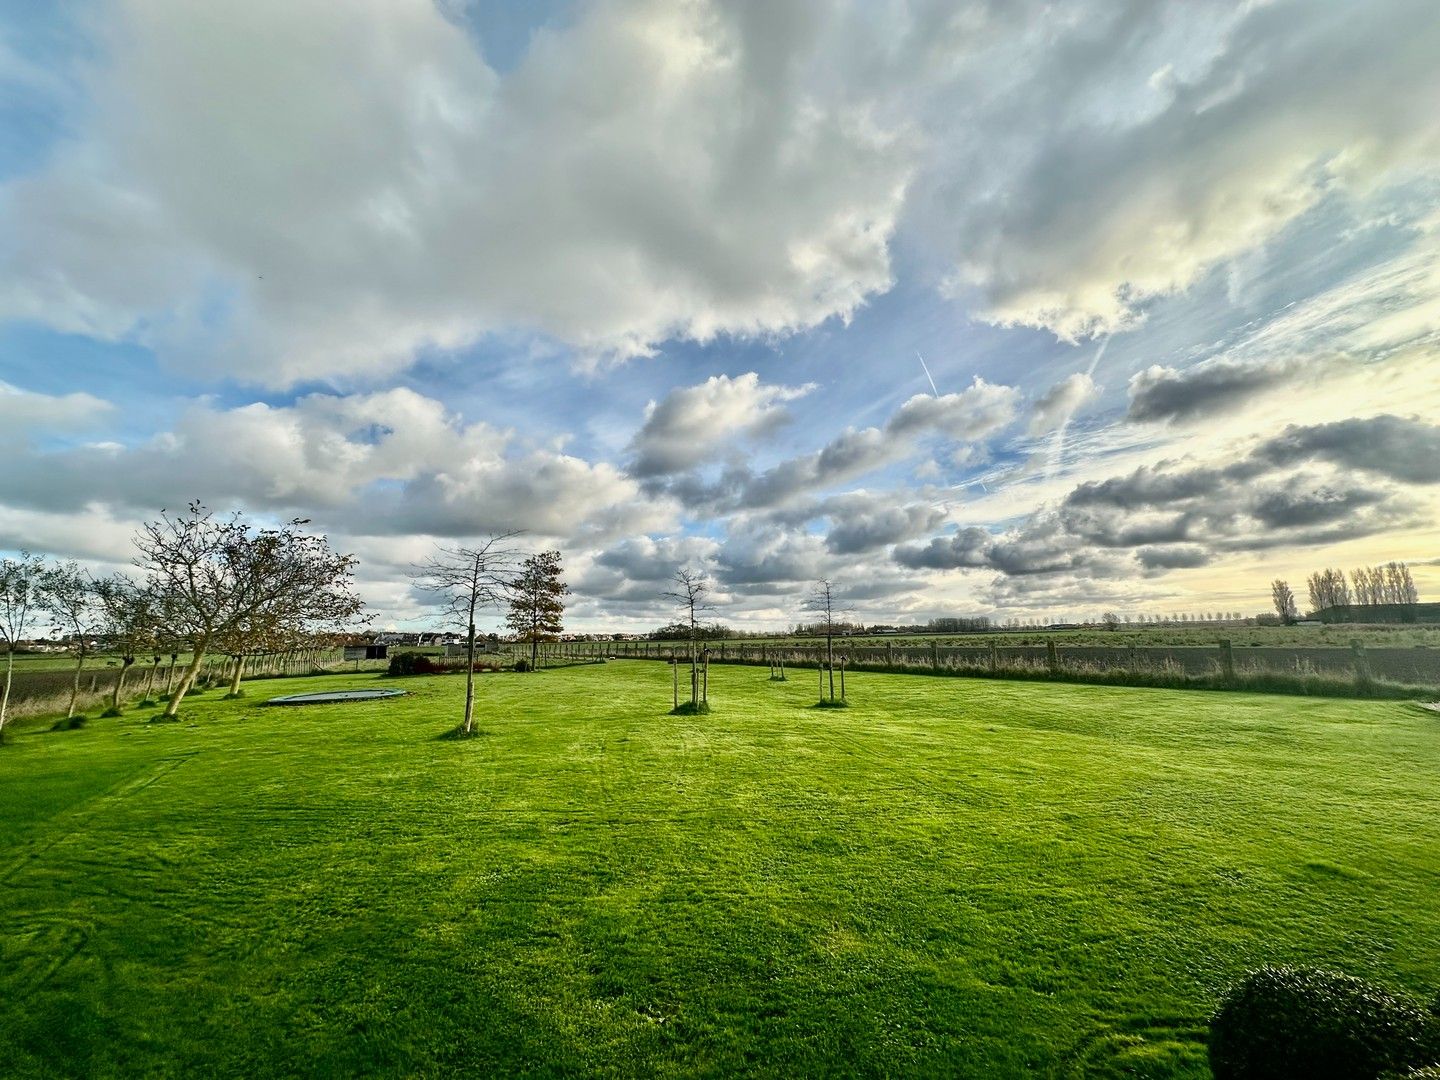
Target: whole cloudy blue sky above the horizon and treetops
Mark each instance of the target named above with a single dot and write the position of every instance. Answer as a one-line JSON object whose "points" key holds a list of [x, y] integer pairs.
{"points": [[1000, 309]]}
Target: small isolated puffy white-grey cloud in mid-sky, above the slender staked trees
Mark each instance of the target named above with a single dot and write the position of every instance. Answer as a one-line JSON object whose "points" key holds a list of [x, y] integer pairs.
{"points": [[686, 427]]}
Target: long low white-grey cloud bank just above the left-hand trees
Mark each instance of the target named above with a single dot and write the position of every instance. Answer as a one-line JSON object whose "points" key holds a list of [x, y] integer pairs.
{"points": [[390, 463]]}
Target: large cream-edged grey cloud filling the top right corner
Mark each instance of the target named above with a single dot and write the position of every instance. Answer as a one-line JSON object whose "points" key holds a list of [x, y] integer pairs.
{"points": [[1138, 186]]}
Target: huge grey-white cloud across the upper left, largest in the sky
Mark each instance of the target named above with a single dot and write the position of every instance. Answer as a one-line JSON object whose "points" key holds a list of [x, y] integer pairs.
{"points": [[280, 192]]}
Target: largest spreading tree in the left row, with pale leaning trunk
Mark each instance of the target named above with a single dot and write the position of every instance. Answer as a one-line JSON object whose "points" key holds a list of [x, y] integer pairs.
{"points": [[214, 577]]}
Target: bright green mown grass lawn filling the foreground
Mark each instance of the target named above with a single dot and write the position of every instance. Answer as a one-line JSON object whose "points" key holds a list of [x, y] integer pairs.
{"points": [[950, 879]]}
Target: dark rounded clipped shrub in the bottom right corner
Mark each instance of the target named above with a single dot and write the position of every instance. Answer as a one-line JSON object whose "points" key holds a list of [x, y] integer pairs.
{"points": [[1317, 1025]]}
